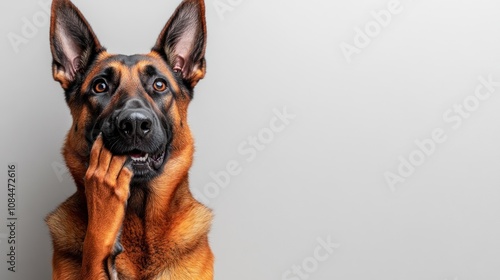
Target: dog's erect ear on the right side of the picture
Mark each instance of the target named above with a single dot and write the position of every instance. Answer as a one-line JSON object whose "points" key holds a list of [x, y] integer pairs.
{"points": [[183, 41]]}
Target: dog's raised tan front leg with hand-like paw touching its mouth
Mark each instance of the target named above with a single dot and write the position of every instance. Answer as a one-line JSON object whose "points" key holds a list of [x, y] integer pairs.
{"points": [[107, 189]]}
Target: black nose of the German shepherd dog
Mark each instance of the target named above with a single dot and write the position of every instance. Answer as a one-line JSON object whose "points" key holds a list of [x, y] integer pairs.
{"points": [[134, 123]]}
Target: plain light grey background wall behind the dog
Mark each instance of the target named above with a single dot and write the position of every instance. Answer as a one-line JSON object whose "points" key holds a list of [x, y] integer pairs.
{"points": [[322, 176]]}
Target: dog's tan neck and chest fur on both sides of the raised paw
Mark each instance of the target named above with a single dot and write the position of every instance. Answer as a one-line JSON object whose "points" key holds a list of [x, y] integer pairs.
{"points": [[170, 242]]}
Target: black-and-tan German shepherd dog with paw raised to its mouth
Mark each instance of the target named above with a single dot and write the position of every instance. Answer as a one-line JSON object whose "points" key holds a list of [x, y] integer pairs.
{"points": [[129, 150]]}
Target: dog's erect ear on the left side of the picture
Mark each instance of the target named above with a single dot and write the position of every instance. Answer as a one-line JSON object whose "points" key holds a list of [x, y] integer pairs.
{"points": [[72, 42]]}
